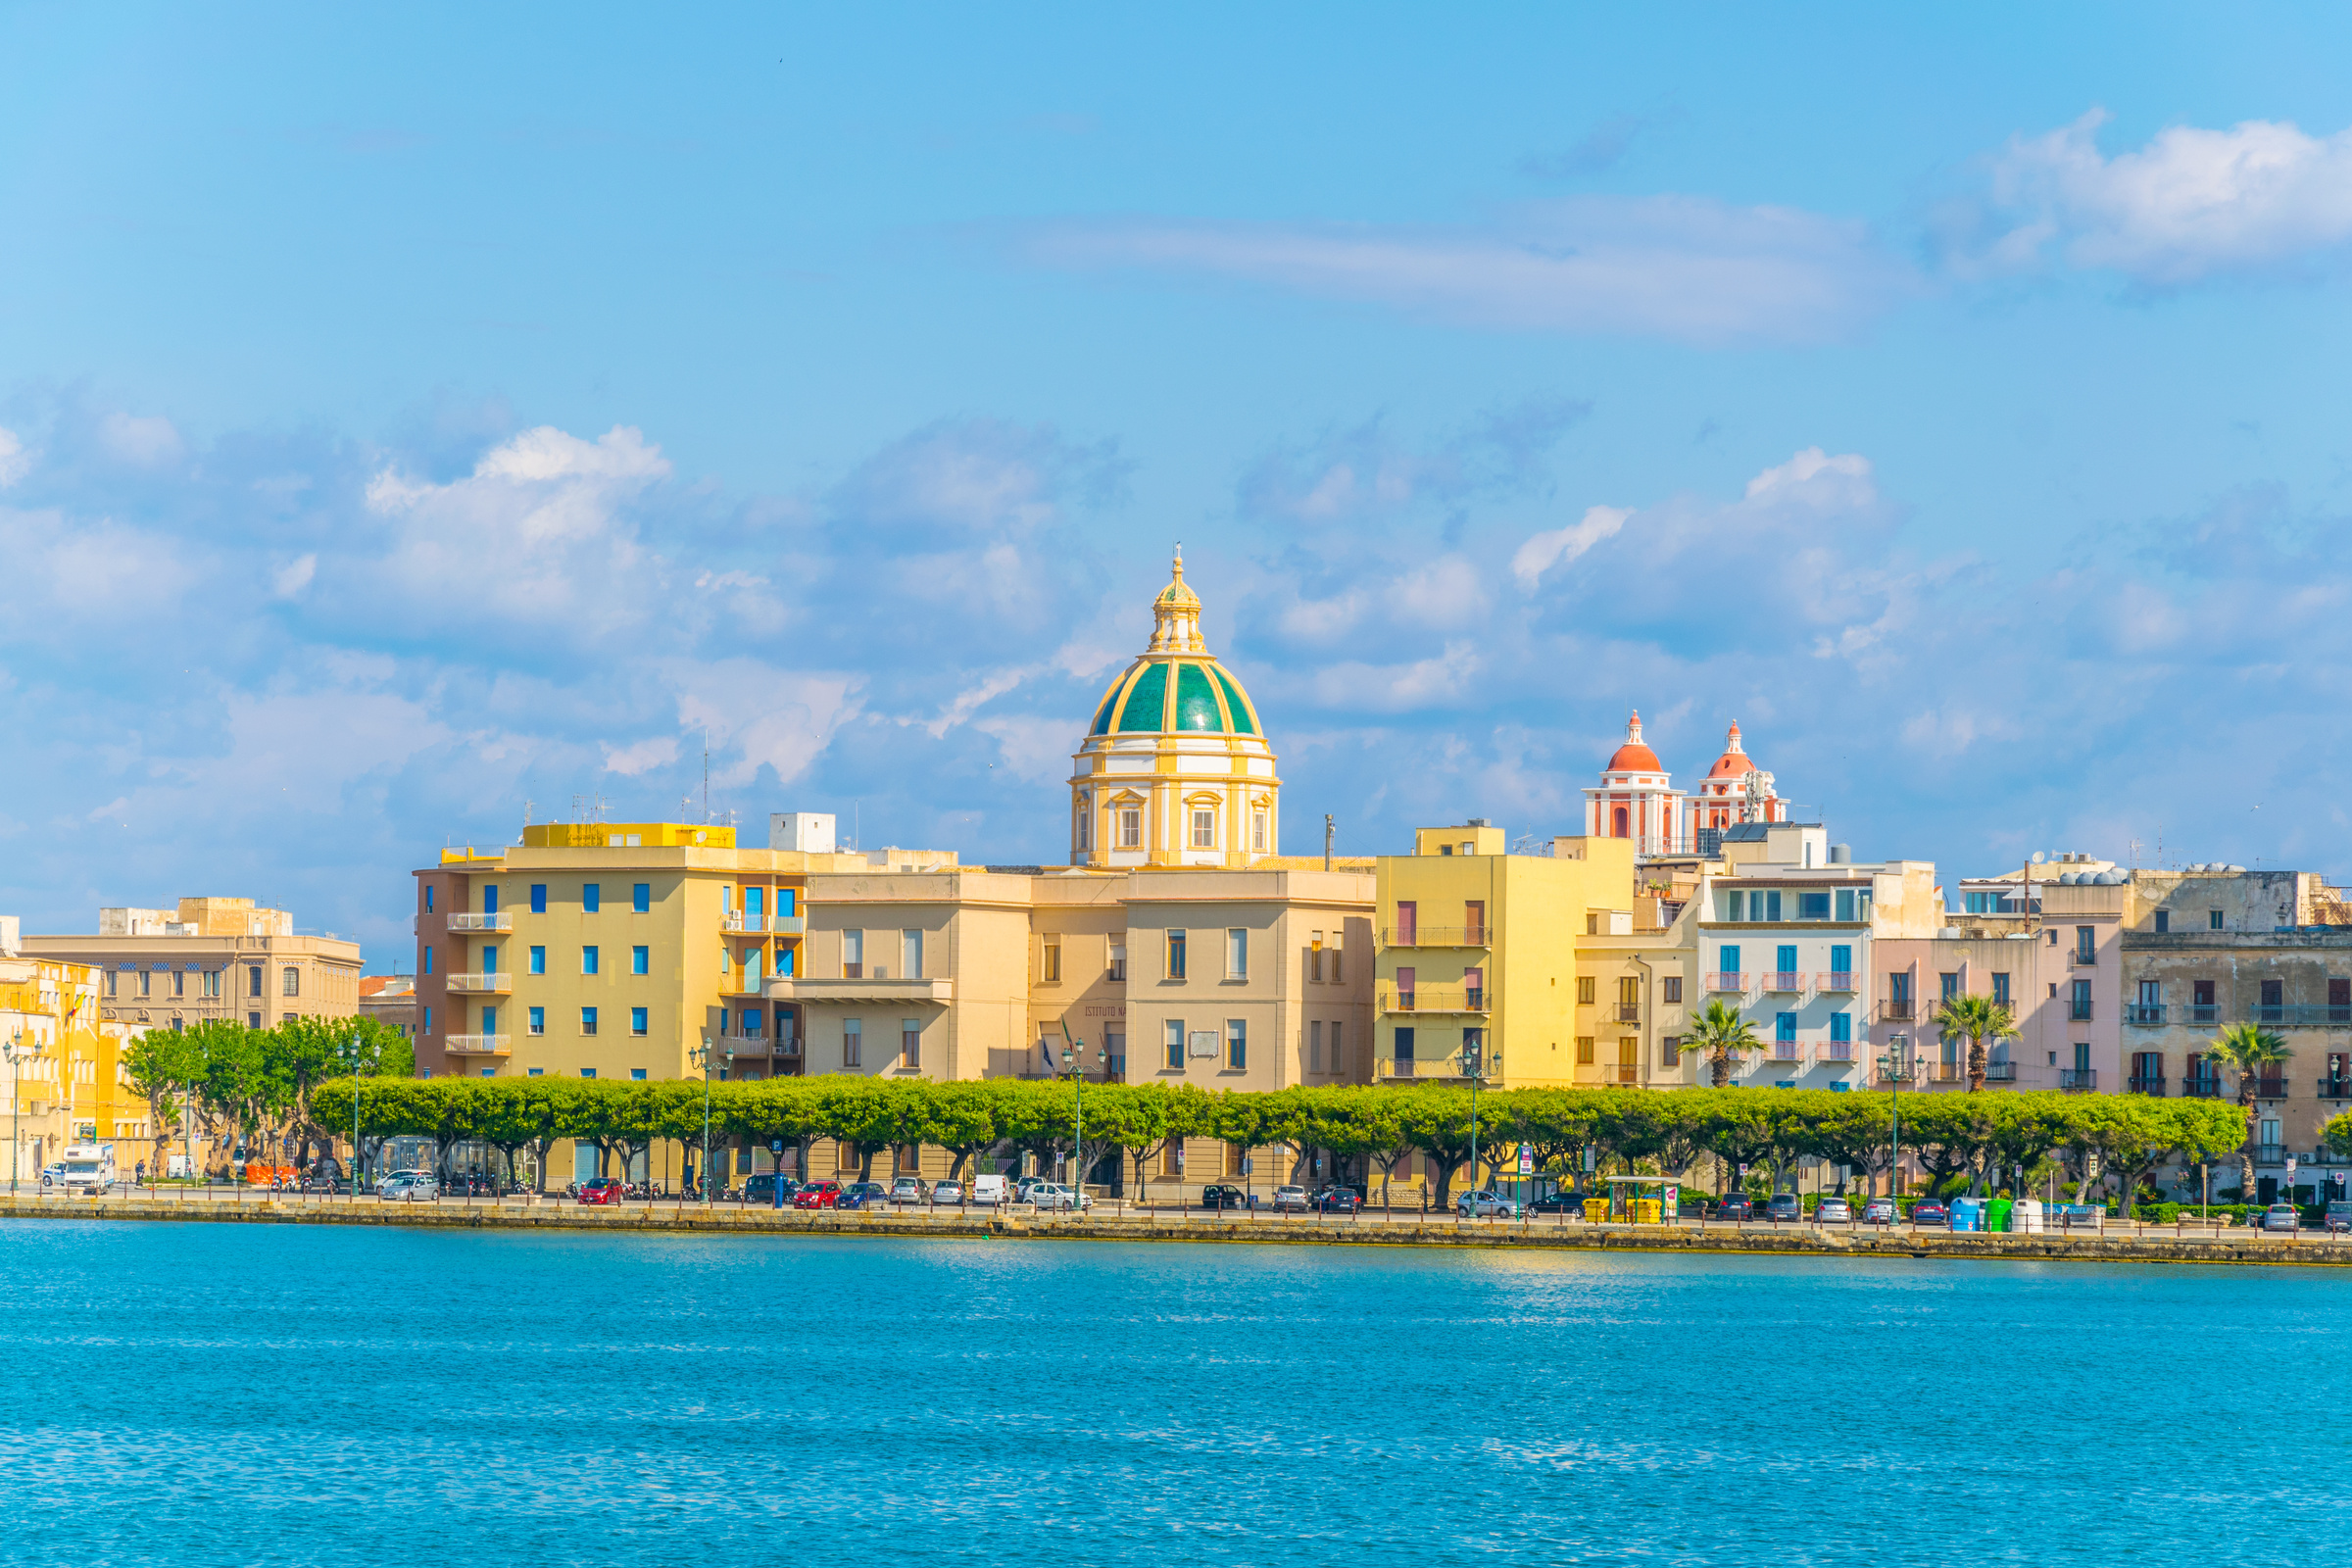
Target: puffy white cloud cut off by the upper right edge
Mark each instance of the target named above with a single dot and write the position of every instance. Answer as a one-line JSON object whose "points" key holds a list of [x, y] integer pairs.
{"points": [[2186, 206]]}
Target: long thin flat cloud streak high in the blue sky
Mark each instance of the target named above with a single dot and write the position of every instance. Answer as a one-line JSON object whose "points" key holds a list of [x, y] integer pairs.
{"points": [[1648, 267]]}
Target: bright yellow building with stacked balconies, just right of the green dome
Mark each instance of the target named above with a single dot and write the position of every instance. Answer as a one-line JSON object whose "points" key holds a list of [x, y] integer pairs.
{"points": [[1478, 953]]}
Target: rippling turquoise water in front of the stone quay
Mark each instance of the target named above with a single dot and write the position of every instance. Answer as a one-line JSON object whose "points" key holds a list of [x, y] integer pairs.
{"points": [[274, 1395]]}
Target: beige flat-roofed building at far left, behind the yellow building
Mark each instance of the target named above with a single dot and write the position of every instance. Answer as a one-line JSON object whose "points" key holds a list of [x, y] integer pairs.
{"points": [[211, 960]]}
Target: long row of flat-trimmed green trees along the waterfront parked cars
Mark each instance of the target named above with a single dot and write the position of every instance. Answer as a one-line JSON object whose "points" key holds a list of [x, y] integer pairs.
{"points": [[1975, 1141]]}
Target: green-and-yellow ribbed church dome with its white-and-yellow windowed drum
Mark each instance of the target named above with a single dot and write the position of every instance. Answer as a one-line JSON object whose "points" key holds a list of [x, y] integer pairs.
{"points": [[1175, 768]]}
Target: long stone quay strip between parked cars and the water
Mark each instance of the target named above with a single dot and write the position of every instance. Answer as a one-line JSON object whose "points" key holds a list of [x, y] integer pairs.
{"points": [[2118, 1242]]}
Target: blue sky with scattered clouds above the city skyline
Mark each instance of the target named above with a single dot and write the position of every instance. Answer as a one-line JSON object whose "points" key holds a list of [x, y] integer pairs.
{"points": [[422, 417]]}
